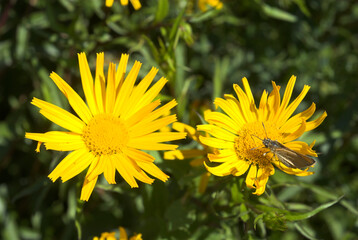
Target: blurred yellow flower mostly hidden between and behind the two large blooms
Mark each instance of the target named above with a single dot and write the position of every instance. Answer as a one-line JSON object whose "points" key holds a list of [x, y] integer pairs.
{"points": [[199, 156]]}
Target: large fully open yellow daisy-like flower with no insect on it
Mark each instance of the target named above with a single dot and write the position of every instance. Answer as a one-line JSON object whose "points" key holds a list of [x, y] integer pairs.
{"points": [[109, 133]]}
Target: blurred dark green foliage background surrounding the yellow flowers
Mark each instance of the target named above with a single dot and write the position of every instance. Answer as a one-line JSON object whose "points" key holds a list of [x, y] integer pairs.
{"points": [[202, 54]]}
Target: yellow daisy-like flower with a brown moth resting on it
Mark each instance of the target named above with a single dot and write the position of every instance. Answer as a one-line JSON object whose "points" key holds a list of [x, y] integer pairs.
{"points": [[236, 133]]}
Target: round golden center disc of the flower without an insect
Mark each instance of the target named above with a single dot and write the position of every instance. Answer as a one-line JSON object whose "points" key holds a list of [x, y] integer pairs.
{"points": [[105, 135]]}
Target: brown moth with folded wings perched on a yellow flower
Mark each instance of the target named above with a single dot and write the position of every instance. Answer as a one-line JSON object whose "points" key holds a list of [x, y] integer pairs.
{"points": [[288, 157]]}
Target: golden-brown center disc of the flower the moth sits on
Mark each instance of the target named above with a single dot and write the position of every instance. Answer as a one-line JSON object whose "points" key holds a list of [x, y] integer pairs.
{"points": [[249, 147]]}
